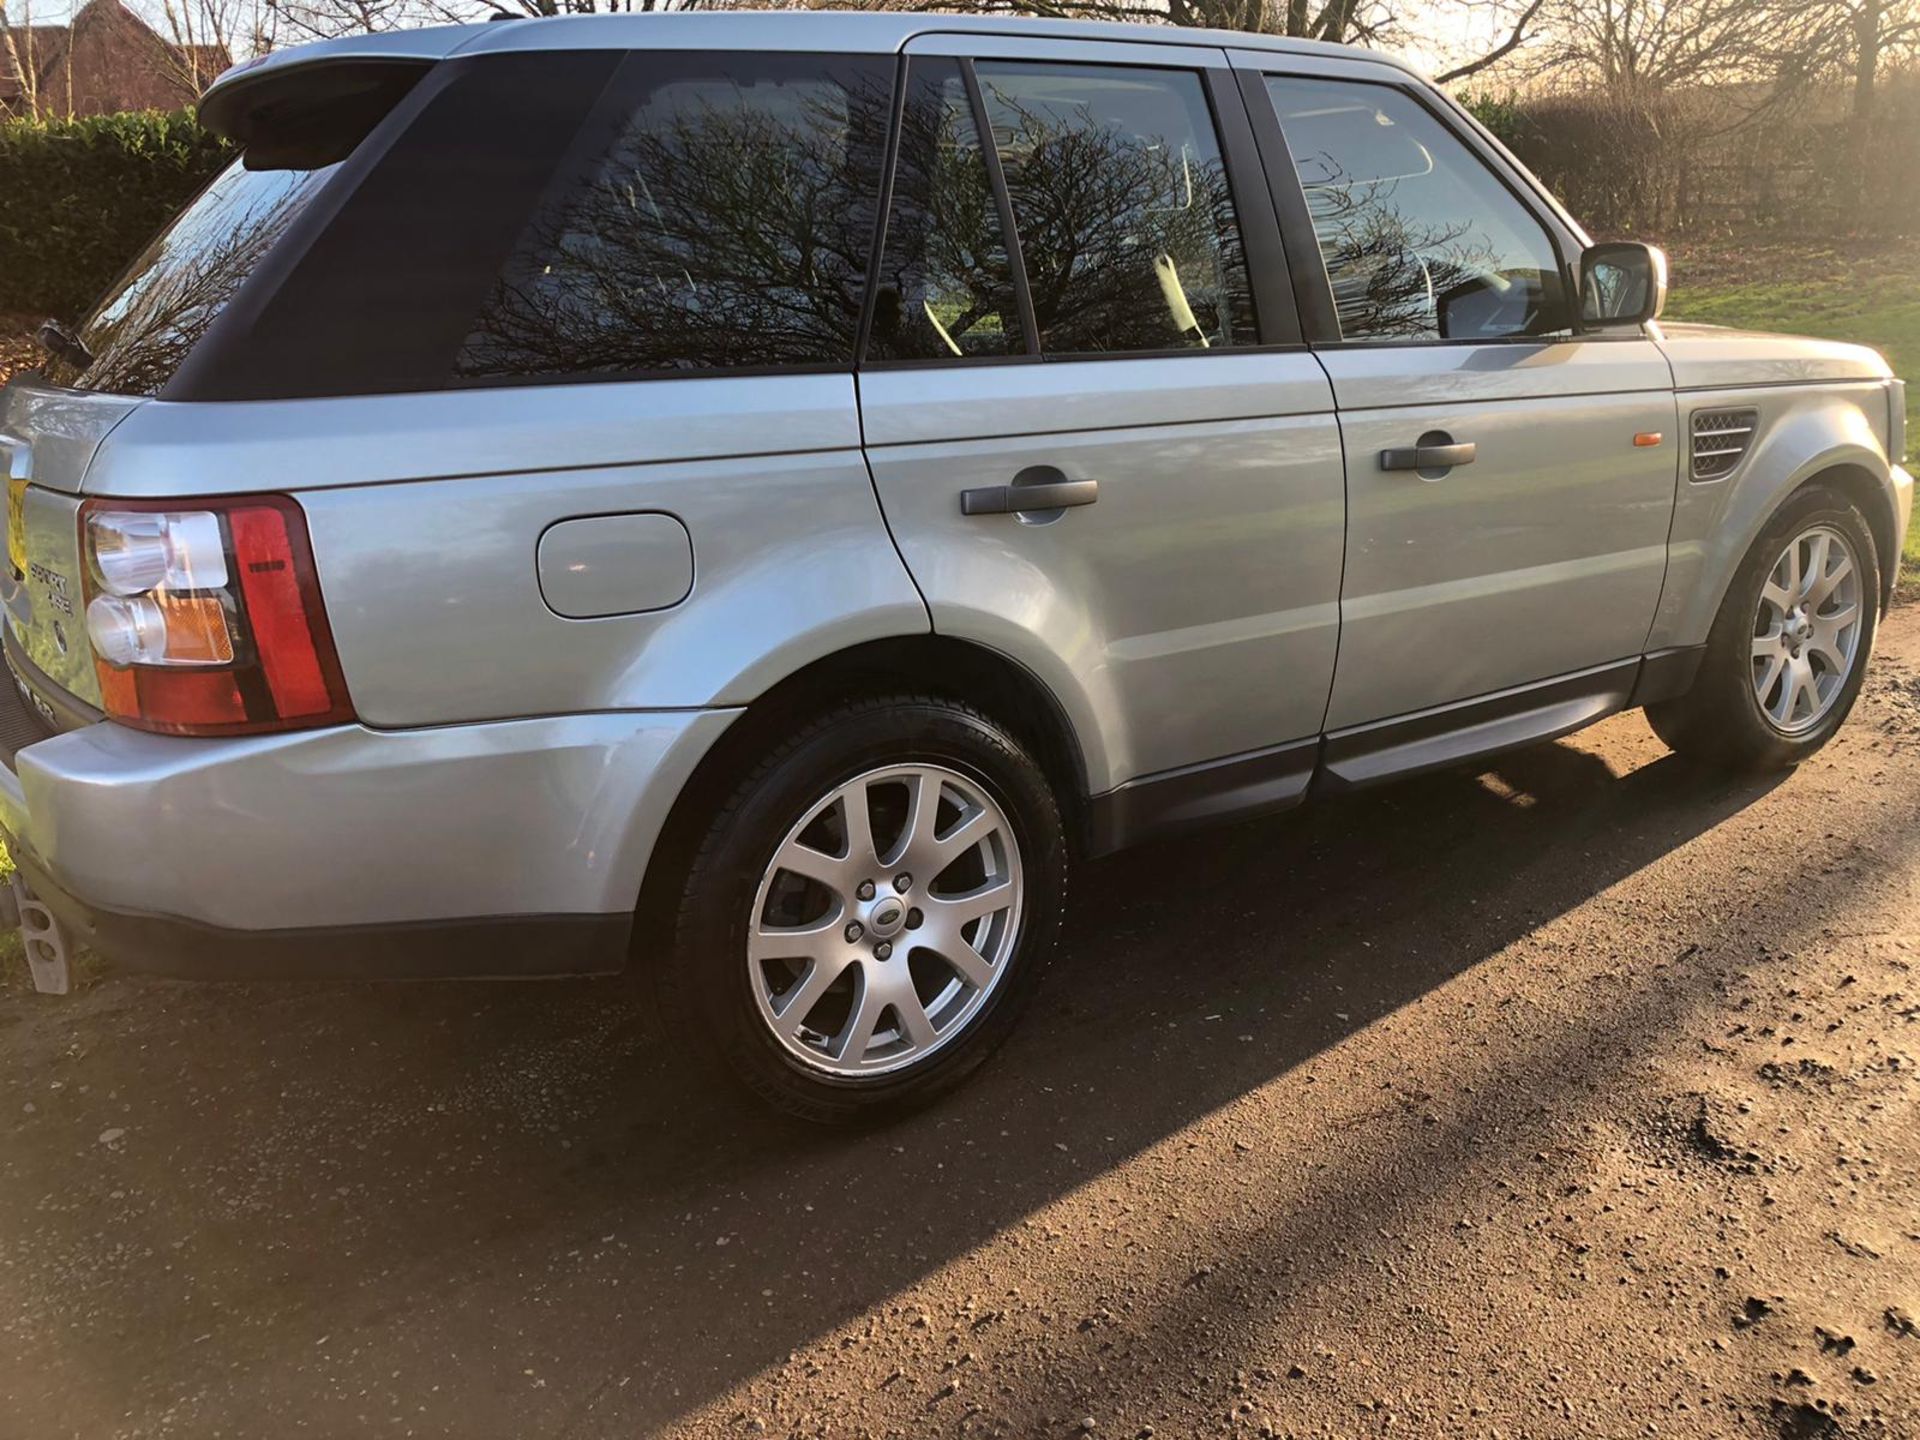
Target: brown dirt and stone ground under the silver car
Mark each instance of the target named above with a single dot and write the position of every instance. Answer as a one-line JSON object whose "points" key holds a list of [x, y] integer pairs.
{"points": [[1575, 1099]]}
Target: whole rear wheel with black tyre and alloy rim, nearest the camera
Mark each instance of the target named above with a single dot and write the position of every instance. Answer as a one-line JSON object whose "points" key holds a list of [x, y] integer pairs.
{"points": [[871, 909]]}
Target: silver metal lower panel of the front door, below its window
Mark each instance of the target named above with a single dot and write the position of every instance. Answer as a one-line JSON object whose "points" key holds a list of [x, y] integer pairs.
{"points": [[1543, 556]]}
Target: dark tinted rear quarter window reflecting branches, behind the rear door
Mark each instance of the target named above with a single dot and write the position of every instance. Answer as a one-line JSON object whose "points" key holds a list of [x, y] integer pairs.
{"points": [[725, 218]]}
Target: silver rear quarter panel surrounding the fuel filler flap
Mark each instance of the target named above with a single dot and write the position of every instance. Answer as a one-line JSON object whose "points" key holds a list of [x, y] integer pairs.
{"points": [[427, 516]]}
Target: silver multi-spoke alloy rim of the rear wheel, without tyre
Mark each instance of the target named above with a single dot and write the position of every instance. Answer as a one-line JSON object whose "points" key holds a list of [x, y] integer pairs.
{"points": [[886, 919]]}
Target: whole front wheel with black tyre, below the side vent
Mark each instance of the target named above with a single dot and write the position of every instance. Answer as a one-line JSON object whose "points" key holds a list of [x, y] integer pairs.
{"points": [[1788, 650]]}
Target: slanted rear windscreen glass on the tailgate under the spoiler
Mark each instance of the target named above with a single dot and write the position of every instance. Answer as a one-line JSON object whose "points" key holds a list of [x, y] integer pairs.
{"points": [[164, 304]]}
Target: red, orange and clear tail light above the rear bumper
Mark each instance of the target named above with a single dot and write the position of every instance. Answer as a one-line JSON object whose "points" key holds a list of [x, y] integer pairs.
{"points": [[208, 619]]}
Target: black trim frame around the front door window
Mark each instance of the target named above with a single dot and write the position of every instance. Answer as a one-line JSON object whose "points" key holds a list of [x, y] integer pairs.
{"points": [[1297, 228]]}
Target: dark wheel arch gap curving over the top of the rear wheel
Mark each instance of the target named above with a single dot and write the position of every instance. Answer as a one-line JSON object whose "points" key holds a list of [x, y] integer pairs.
{"points": [[942, 665]]}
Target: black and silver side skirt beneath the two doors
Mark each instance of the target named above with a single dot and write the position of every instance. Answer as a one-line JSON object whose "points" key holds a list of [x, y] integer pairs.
{"points": [[1282, 777]]}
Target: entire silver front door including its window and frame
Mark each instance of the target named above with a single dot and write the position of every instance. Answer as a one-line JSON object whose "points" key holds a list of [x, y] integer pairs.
{"points": [[1510, 479]]}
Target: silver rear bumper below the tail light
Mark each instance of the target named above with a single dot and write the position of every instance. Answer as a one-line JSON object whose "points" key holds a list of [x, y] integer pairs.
{"points": [[489, 850]]}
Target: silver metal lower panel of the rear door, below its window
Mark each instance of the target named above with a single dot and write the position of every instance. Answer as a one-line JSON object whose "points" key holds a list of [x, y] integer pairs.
{"points": [[1188, 615]]}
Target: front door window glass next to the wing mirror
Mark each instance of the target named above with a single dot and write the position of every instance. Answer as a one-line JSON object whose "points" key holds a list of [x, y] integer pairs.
{"points": [[1420, 239]]}
